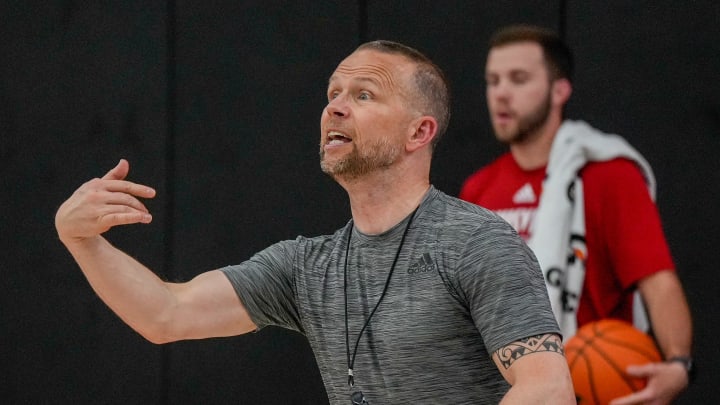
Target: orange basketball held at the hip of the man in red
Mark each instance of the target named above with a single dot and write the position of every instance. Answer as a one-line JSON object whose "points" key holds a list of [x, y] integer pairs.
{"points": [[598, 356]]}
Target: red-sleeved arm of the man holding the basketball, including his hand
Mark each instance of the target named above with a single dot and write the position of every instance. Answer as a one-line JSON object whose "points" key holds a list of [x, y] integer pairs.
{"points": [[640, 252]]}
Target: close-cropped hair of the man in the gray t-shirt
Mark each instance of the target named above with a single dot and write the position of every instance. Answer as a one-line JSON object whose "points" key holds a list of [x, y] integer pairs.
{"points": [[431, 83]]}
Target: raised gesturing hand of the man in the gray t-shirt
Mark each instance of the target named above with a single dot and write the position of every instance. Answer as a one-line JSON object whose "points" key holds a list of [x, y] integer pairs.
{"points": [[100, 204]]}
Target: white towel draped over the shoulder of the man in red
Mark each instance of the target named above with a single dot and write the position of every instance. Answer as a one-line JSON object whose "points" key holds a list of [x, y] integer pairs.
{"points": [[558, 233]]}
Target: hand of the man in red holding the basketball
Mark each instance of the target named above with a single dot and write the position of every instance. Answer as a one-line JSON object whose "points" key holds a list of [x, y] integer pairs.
{"points": [[665, 381]]}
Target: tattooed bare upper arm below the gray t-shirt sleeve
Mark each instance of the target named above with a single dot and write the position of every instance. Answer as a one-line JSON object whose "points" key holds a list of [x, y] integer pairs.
{"points": [[537, 371]]}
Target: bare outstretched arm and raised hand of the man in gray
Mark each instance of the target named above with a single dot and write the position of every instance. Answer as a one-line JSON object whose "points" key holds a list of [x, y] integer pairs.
{"points": [[162, 312]]}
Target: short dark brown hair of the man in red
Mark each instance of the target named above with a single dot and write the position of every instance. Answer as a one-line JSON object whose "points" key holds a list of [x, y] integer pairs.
{"points": [[558, 56]]}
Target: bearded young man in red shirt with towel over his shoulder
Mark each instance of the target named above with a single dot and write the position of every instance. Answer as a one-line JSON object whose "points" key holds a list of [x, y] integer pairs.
{"points": [[584, 202]]}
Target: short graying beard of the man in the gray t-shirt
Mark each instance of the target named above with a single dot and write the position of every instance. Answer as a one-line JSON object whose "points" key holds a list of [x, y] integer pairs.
{"points": [[360, 161]]}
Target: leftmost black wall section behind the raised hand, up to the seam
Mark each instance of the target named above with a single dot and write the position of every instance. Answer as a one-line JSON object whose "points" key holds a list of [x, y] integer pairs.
{"points": [[80, 86]]}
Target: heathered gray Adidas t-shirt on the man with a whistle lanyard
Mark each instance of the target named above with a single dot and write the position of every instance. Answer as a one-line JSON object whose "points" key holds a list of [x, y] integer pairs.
{"points": [[464, 285]]}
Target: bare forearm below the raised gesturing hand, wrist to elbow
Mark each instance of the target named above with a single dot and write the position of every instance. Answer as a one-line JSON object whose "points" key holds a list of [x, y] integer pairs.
{"points": [[131, 290]]}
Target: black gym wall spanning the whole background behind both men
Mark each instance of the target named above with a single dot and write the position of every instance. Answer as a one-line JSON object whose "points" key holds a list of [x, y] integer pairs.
{"points": [[217, 106]]}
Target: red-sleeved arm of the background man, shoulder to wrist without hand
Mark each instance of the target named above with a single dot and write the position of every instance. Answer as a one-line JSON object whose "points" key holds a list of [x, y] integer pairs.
{"points": [[639, 253]]}
